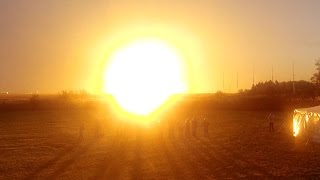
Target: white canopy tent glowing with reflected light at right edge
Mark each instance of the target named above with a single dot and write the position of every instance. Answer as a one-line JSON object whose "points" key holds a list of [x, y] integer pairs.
{"points": [[306, 122]]}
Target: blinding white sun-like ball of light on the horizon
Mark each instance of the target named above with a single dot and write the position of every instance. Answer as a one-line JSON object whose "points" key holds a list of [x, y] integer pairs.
{"points": [[142, 75]]}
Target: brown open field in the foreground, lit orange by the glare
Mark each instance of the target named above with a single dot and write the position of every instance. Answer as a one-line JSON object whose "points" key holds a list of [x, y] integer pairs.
{"points": [[44, 145]]}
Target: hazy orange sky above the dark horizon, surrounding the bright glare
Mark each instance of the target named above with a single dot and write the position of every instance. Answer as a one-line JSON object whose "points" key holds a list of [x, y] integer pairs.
{"points": [[57, 44]]}
